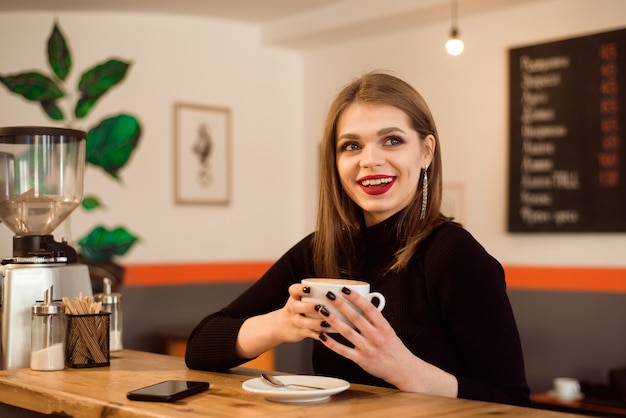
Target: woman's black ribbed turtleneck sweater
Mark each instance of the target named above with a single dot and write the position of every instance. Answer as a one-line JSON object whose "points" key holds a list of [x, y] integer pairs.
{"points": [[449, 307]]}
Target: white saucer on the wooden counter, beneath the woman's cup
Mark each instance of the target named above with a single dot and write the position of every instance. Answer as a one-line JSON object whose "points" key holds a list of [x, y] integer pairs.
{"points": [[331, 386]]}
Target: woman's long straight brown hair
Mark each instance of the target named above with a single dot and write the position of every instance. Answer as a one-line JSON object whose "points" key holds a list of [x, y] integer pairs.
{"points": [[339, 219]]}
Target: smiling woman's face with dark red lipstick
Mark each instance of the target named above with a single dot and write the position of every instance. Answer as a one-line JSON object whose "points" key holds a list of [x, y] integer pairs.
{"points": [[379, 157]]}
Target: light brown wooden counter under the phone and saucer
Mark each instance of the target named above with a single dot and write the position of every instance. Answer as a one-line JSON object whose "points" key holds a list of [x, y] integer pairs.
{"points": [[101, 392]]}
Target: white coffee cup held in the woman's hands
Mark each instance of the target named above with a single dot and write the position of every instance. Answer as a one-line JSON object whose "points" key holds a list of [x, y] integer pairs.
{"points": [[319, 288]]}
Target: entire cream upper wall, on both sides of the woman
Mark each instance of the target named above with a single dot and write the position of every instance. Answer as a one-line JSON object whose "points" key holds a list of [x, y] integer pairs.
{"points": [[279, 98]]}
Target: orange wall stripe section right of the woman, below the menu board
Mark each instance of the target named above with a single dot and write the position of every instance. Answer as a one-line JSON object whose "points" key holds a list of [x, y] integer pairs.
{"points": [[583, 279]]}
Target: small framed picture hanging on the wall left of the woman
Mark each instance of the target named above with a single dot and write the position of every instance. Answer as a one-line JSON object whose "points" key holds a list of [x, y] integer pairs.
{"points": [[202, 156]]}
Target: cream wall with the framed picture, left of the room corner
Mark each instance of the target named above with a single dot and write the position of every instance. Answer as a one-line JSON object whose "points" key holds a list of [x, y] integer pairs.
{"points": [[190, 60]]}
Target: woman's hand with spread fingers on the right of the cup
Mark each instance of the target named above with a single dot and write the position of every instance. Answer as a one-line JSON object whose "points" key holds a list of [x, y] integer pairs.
{"points": [[379, 351]]}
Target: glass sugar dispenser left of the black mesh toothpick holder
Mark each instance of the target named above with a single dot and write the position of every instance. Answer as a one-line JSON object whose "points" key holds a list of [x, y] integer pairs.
{"points": [[48, 334]]}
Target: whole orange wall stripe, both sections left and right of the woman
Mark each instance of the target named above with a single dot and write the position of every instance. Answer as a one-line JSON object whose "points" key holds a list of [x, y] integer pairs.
{"points": [[580, 279]]}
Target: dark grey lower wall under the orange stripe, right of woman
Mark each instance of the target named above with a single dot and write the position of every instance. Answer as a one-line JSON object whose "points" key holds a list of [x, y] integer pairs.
{"points": [[581, 335]]}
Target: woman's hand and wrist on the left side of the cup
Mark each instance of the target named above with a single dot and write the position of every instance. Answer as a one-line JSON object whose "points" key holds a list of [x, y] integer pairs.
{"points": [[287, 324]]}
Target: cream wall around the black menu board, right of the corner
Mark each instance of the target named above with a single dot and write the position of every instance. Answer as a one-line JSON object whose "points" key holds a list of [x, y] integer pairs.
{"points": [[468, 95]]}
